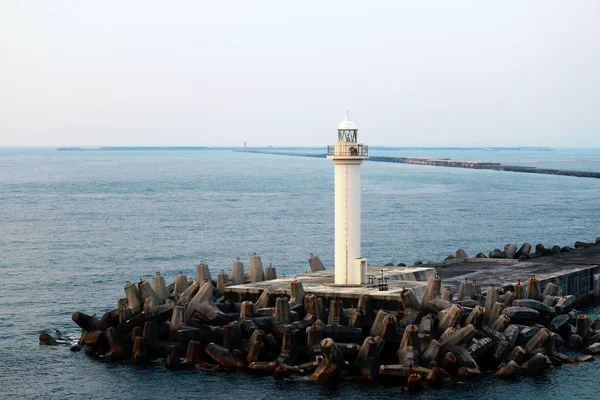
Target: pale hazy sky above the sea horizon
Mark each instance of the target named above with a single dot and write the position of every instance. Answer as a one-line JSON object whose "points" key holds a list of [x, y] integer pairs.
{"points": [[284, 73]]}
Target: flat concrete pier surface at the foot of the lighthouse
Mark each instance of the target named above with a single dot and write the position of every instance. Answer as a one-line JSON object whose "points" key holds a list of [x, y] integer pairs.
{"points": [[576, 272]]}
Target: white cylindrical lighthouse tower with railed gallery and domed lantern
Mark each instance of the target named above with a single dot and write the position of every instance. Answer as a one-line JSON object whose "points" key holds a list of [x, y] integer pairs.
{"points": [[347, 155]]}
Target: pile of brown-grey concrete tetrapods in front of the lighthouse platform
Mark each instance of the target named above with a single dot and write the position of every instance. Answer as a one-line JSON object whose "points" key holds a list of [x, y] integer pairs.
{"points": [[190, 325]]}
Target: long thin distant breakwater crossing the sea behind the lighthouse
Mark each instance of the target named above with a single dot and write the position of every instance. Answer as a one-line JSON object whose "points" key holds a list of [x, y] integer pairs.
{"points": [[446, 162]]}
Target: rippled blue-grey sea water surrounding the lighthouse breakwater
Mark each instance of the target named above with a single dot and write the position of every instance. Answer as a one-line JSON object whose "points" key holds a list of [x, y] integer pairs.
{"points": [[75, 226]]}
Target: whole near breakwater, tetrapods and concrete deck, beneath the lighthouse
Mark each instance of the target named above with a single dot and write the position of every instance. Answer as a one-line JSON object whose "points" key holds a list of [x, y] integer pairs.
{"points": [[454, 328]]}
